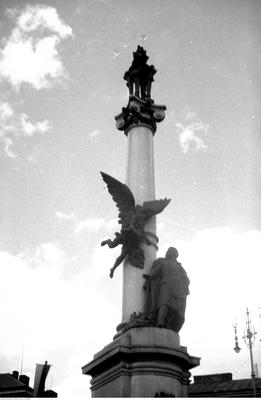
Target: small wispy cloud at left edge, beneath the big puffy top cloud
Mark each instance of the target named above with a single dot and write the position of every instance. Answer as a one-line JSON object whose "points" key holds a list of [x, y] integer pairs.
{"points": [[14, 124]]}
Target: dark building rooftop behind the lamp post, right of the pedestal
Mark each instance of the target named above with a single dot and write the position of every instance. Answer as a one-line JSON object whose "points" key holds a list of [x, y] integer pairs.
{"points": [[223, 385]]}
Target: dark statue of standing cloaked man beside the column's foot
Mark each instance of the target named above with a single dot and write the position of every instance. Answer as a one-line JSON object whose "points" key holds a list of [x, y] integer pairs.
{"points": [[167, 290]]}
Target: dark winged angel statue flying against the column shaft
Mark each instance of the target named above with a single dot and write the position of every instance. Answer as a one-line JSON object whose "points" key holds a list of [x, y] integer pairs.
{"points": [[132, 219]]}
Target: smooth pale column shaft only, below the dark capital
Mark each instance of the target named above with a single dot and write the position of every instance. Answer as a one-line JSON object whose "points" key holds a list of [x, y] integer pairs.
{"points": [[140, 180]]}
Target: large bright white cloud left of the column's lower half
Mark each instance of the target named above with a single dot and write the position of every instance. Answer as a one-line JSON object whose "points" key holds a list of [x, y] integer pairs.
{"points": [[54, 315]]}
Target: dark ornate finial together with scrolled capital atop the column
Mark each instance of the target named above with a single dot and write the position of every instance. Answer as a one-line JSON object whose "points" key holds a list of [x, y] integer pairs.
{"points": [[141, 109]]}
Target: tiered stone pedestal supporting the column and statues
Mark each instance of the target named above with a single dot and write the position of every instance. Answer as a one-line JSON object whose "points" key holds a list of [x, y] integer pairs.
{"points": [[143, 362]]}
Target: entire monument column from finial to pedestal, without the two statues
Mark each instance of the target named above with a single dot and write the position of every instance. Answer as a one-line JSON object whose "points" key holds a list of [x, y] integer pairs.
{"points": [[142, 360]]}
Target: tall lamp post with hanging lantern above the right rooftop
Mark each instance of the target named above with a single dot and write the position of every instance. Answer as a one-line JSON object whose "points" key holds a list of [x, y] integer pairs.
{"points": [[249, 338]]}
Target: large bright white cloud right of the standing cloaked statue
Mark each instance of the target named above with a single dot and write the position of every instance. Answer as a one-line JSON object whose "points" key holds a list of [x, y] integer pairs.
{"points": [[223, 267]]}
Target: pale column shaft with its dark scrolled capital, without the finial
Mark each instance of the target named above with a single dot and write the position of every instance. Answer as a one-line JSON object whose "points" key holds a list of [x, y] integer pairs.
{"points": [[138, 121]]}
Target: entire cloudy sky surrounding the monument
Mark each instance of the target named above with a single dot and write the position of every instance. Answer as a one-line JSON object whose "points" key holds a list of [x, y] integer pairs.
{"points": [[61, 79]]}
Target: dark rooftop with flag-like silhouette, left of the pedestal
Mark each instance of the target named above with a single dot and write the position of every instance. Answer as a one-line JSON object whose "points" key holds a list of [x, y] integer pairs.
{"points": [[15, 385]]}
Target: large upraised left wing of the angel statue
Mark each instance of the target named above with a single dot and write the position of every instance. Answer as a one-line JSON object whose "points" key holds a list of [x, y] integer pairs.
{"points": [[122, 196]]}
